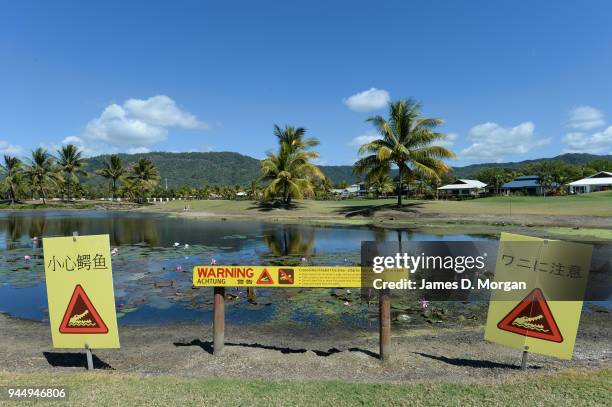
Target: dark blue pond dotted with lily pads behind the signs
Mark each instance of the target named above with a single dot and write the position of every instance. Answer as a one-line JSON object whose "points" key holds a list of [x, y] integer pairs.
{"points": [[156, 253]]}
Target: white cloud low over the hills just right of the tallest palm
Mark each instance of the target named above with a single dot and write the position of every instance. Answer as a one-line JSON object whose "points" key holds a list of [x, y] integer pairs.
{"points": [[491, 142]]}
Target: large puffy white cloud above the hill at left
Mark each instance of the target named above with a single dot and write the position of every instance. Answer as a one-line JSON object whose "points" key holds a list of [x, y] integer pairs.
{"points": [[138, 123]]}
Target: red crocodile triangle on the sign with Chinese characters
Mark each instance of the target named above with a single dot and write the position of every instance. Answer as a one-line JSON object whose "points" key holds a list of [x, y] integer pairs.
{"points": [[81, 317]]}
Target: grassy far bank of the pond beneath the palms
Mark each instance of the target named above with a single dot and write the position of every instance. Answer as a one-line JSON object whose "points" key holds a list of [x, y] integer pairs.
{"points": [[414, 216]]}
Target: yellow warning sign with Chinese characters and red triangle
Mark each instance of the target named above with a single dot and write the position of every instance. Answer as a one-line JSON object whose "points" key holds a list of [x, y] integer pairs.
{"points": [[80, 292]]}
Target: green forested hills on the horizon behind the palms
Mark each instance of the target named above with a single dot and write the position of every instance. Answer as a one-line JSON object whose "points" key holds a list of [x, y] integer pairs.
{"points": [[228, 168]]}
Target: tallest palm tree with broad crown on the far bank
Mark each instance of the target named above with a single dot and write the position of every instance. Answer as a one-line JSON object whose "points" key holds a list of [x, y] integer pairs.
{"points": [[405, 142]]}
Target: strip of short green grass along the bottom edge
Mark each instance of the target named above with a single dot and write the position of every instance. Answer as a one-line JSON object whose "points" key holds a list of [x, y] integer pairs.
{"points": [[102, 388]]}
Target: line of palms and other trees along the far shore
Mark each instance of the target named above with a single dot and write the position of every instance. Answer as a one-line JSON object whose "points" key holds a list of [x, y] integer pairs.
{"points": [[407, 158]]}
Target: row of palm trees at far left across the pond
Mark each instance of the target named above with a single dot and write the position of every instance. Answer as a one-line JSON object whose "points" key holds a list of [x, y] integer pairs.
{"points": [[44, 173]]}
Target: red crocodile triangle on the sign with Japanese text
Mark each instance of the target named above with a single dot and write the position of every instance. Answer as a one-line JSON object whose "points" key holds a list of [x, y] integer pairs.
{"points": [[532, 317]]}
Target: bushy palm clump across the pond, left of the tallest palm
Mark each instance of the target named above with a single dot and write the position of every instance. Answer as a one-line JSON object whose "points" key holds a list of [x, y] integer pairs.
{"points": [[289, 172]]}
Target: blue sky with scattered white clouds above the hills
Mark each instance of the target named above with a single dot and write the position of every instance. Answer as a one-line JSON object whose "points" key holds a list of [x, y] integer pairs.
{"points": [[512, 79]]}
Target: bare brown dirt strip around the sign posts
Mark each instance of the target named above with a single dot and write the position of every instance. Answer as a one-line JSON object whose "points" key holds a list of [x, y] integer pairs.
{"points": [[457, 354]]}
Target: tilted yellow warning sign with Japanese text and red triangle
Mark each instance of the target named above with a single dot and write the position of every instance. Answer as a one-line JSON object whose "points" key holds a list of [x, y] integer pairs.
{"points": [[546, 320]]}
